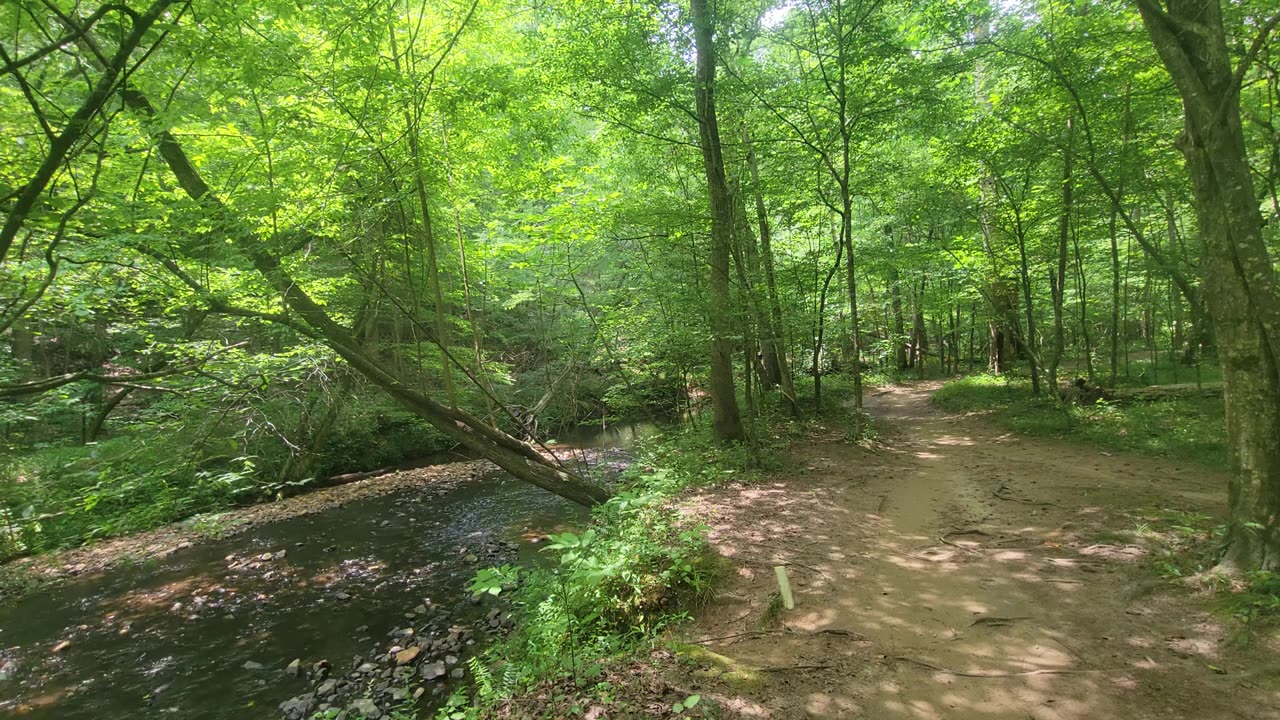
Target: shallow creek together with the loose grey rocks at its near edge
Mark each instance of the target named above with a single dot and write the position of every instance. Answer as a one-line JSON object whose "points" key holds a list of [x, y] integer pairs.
{"points": [[211, 630]]}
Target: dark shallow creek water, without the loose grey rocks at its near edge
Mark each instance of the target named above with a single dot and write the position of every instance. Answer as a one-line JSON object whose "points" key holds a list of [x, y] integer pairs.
{"points": [[207, 634]]}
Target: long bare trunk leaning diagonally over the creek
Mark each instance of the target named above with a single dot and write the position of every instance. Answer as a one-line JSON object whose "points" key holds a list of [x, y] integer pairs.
{"points": [[514, 457]]}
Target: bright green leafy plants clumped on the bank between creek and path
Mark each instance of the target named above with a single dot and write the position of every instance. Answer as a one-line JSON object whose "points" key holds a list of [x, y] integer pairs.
{"points": [[610, 590]]}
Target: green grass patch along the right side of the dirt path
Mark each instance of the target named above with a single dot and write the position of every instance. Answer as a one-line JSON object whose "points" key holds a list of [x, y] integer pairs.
{"points": [[1191, 430]]}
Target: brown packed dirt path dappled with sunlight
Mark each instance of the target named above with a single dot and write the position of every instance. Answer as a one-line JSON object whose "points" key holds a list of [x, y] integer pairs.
{"points": [[962, 573]]}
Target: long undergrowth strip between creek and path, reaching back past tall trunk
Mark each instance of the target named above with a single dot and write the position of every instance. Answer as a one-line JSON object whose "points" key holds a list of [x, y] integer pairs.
{"points": [[596, 618]]}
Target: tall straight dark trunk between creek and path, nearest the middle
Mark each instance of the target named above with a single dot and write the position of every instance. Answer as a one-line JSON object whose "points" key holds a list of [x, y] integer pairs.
{"points": [[728, 422]]}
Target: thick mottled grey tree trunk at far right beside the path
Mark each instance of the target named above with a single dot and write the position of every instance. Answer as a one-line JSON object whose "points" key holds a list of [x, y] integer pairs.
{"points": [[1241, 285]]}
